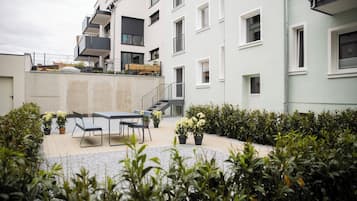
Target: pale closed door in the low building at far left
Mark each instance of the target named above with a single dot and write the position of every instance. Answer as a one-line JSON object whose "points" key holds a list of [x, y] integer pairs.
{"points": [[6, 95]]}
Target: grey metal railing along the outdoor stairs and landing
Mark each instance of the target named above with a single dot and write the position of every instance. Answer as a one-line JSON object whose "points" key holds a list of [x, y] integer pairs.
{"points": [[167, 92]]}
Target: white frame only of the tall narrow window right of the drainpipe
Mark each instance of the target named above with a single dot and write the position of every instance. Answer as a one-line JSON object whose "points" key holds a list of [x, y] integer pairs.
{"points": [[294, 68]]}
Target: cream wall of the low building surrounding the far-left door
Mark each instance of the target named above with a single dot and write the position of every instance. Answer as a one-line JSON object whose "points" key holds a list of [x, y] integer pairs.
{"points": [[14, 66]]}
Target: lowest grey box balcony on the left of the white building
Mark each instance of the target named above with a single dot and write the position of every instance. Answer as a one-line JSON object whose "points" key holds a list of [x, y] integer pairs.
{"points": [[93, 46]]}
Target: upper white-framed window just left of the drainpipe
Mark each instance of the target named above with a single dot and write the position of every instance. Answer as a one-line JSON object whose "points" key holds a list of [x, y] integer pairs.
{"points": [[250, 26]]}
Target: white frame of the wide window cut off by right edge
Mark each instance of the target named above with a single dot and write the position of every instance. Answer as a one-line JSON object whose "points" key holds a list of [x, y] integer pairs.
{"points": [[333, 52]]}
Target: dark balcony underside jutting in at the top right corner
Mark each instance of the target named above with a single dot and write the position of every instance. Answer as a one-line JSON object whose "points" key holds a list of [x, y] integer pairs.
{"points": [[332, 7]]}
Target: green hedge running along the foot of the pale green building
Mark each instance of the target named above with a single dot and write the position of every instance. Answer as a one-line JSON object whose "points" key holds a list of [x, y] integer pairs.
{"points": [[262, 126]]}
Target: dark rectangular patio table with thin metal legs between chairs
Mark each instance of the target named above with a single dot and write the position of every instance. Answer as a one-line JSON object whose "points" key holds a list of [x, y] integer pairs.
{"points": [[119, 115]]}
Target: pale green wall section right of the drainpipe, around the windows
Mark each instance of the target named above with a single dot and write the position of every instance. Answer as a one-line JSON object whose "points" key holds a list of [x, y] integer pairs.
{"points": [[314, 90]]}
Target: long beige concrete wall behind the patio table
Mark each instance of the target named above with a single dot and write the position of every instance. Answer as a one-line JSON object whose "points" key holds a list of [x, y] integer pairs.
{"points": [[87, 93]]}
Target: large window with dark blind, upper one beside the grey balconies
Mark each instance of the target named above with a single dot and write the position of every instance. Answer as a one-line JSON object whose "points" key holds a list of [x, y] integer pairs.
{"points": [[132, 31]]}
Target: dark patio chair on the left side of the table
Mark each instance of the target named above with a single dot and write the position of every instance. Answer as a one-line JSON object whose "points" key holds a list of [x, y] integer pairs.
{"points": [[86, 127]]}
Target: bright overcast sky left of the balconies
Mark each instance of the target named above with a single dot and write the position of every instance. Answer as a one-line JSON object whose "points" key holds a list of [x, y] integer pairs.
{"points": [[49, 26]]}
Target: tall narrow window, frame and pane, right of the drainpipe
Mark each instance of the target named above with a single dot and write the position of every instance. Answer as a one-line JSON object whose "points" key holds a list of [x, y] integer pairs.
{"points": [[297, 48]]}
